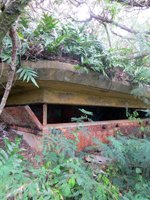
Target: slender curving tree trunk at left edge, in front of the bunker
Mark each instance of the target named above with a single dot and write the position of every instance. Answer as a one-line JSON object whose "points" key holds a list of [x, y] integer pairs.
{"points": [[8, 16]]}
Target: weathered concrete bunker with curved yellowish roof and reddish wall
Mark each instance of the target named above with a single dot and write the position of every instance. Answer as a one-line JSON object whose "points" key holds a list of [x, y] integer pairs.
{"points": [[62, 91]]}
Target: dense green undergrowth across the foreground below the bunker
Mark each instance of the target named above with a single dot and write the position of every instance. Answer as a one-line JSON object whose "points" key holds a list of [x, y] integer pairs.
{"points": [[61, 173]]}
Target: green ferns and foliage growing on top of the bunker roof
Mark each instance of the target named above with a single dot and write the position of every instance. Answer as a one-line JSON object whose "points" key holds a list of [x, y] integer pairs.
{"points": [[74, 42]]}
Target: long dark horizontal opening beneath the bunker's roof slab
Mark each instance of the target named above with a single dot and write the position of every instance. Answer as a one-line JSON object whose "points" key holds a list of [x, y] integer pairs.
{"points": [[56, 114]]}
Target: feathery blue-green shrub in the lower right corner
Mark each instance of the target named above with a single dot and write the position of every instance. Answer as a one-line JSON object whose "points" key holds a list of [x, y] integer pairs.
{"points": [[131, 168]]}
